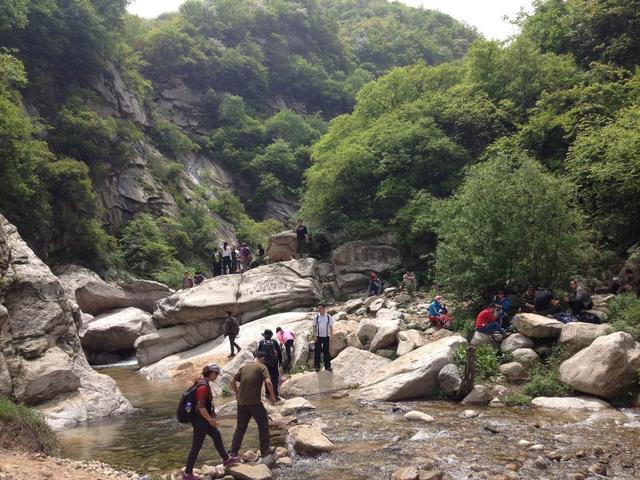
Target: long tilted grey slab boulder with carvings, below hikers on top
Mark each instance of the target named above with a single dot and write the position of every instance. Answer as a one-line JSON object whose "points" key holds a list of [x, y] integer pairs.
{"points": [[280, 286]]}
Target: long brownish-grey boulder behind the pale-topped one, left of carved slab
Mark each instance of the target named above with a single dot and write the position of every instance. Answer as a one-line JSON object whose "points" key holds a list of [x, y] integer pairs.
{"points": [[96, 297]]}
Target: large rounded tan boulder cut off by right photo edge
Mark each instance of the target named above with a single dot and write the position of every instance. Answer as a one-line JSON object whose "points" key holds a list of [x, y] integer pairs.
{"points": [[605, 368]]}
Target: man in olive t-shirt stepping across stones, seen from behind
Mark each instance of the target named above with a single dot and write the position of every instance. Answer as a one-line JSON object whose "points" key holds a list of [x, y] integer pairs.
{"points": [[248, 397]]}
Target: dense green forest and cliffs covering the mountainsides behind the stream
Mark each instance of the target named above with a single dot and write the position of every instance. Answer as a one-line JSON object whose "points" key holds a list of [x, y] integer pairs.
{"points": [[493, 162]]}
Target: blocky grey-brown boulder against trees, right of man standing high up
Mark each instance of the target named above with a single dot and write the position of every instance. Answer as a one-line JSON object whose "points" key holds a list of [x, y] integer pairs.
{"points": [[364, 257]]}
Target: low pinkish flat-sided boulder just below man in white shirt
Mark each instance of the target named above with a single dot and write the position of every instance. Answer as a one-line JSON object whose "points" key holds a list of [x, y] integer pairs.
{"points": [[349, 369]]}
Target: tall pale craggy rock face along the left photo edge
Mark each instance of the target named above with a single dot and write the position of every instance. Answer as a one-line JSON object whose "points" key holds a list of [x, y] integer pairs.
{"points": [[41, 359]]}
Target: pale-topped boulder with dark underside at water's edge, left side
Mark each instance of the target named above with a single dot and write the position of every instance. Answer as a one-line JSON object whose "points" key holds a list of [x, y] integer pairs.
{"points": [[117, 330]]}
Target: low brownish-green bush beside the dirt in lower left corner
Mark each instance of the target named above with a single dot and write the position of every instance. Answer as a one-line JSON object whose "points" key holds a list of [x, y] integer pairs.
{"points": [[24, 428]]}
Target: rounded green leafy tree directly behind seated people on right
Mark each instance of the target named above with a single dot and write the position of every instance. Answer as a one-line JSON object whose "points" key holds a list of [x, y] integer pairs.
{"points": [[510, 223]]}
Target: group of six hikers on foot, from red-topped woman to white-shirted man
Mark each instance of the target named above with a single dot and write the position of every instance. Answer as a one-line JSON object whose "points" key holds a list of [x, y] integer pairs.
{"points": [[247, 386]]}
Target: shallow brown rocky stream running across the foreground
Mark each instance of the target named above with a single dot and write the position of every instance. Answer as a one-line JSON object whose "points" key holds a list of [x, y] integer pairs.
{"points": [[372, 440]]}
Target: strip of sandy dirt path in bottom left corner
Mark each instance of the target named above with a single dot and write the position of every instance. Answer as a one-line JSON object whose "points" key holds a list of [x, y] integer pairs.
{"points": [[25, 466]]}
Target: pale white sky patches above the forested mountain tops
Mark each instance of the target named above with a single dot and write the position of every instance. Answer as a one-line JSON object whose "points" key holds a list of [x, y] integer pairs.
{"points": [[486, 15]]}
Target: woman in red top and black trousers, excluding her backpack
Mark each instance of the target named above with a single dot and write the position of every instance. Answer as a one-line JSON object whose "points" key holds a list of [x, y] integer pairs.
{"points": [[204, 422]]}
